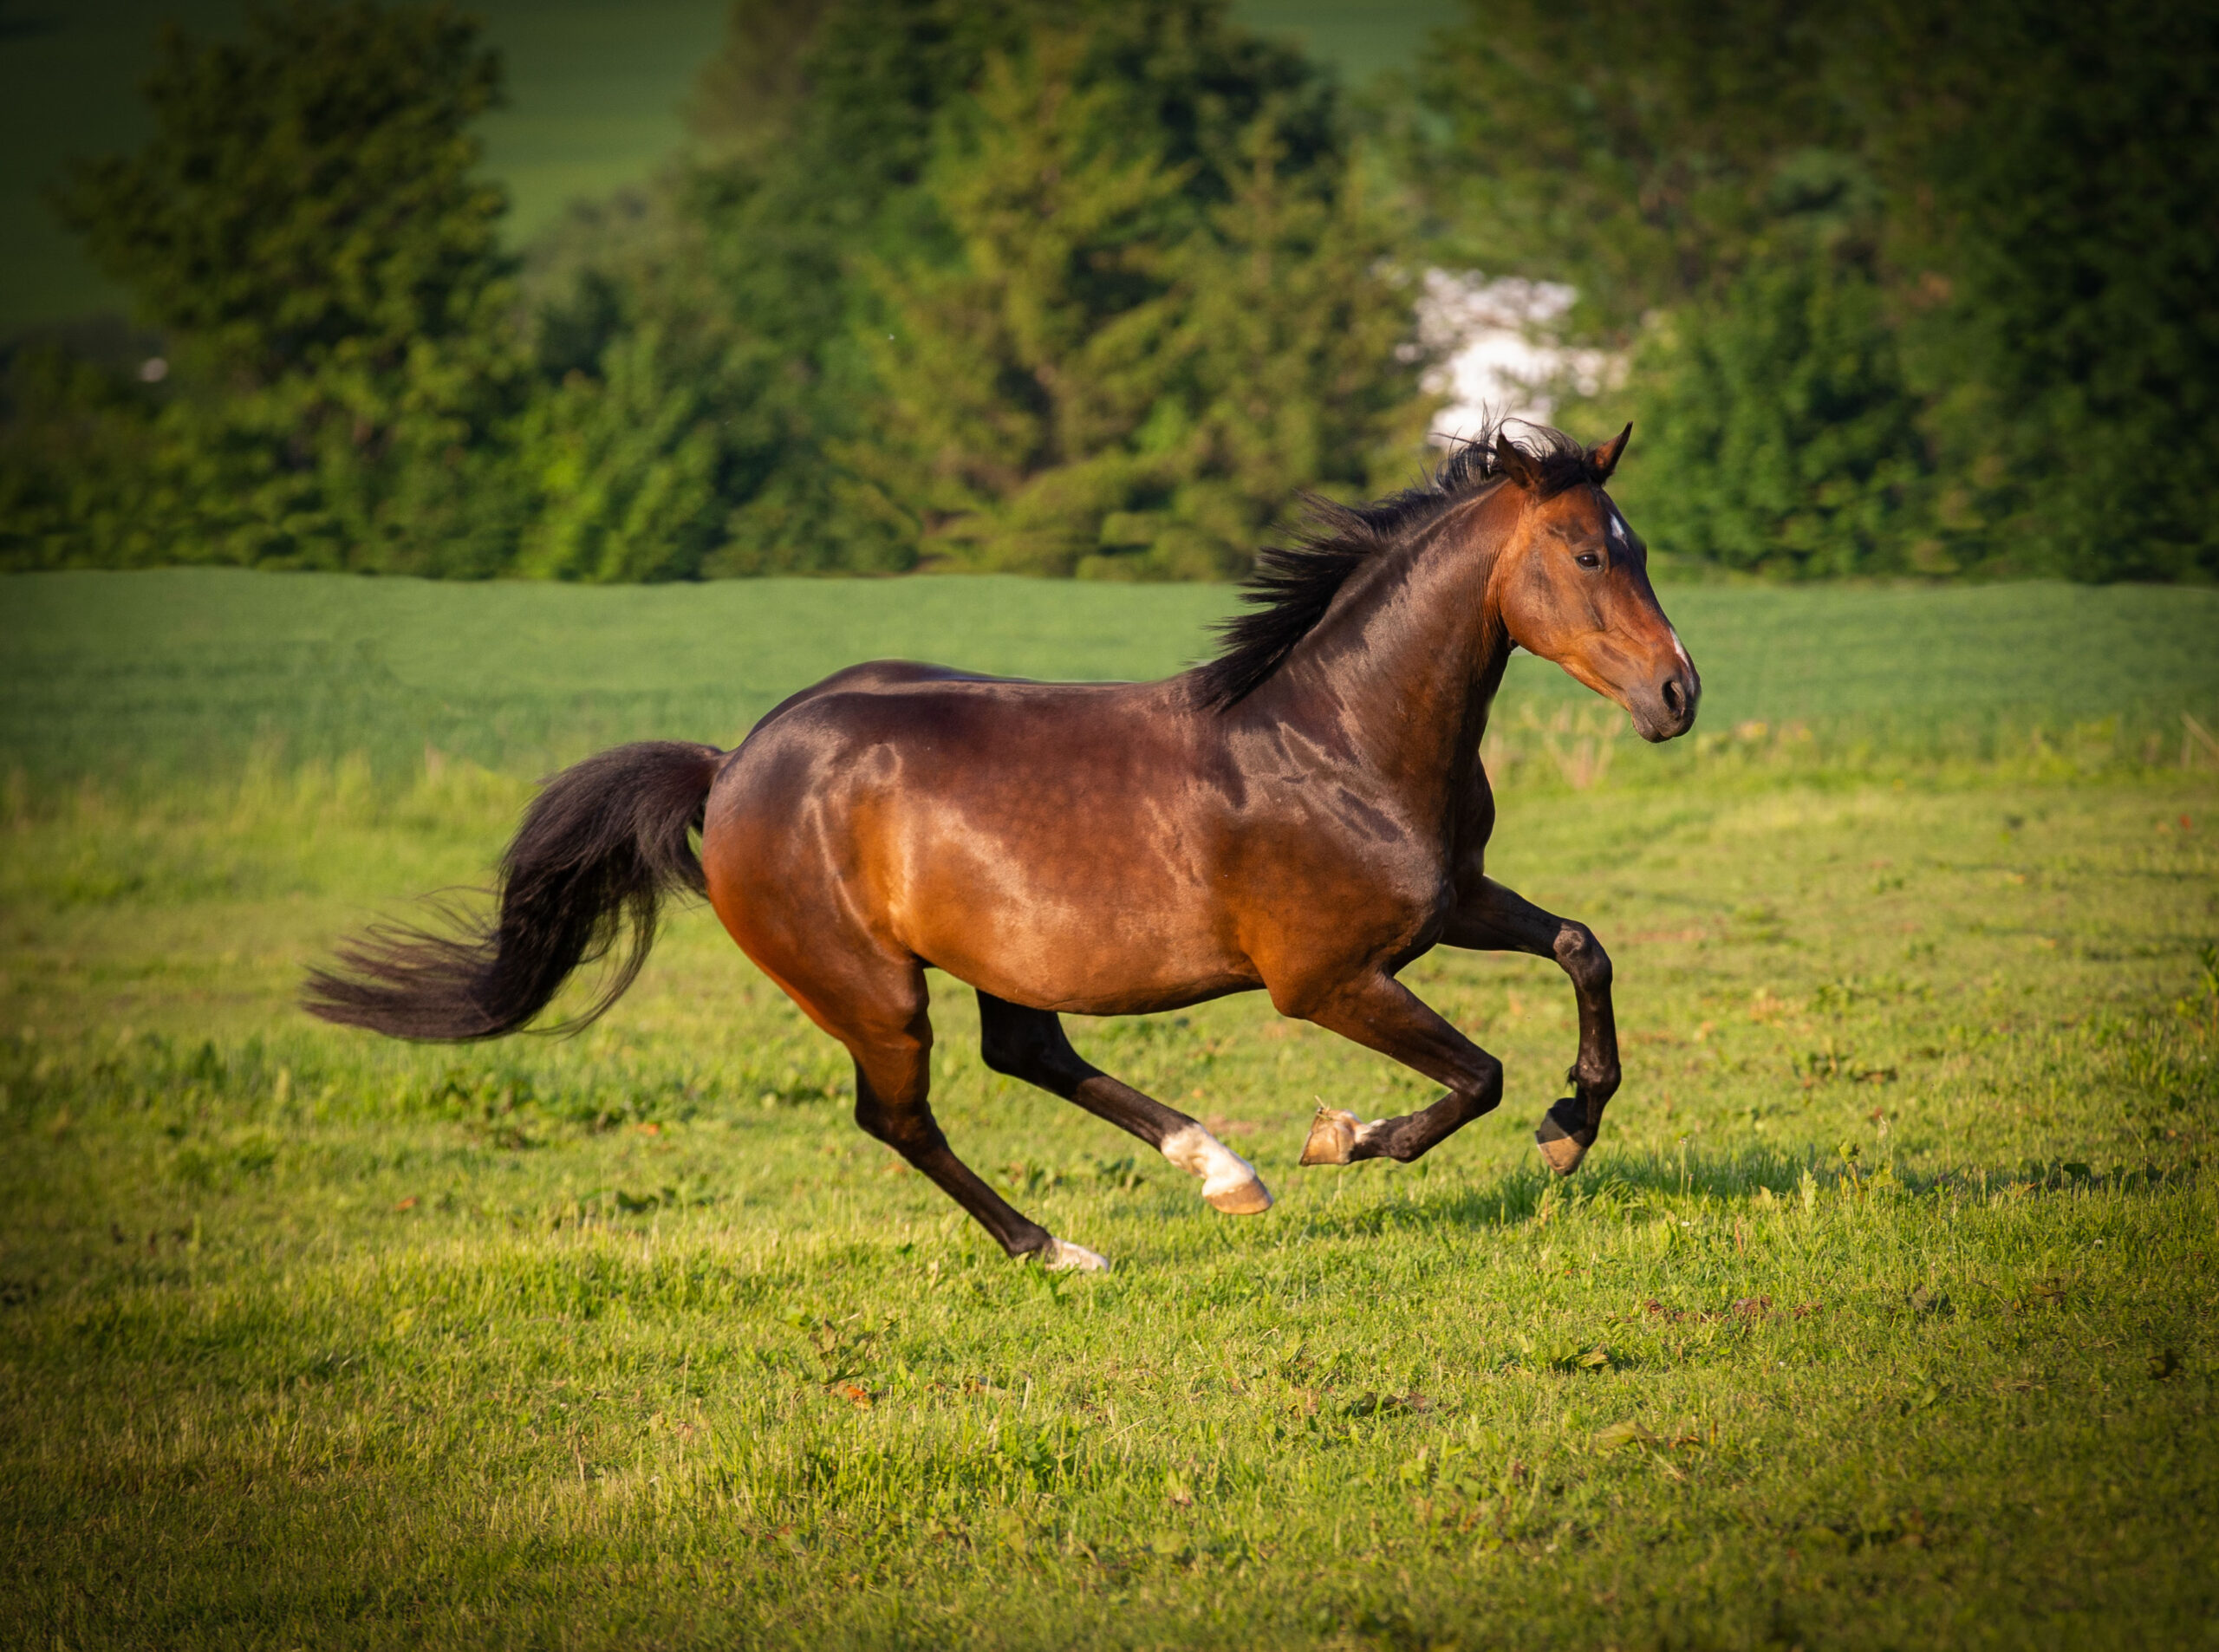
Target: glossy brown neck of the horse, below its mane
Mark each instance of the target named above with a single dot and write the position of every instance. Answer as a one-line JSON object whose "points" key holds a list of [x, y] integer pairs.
{"points": [[1404, 673]]}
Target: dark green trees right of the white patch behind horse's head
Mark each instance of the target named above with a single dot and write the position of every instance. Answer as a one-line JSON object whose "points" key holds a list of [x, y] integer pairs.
{"points": [[2003, 360]]}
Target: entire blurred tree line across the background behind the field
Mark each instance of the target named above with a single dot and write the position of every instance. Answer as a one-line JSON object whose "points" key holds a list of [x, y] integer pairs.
{"points": [[1095, 289]]}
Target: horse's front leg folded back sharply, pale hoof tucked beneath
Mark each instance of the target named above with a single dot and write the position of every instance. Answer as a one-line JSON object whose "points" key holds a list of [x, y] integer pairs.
{"points": [[1388, 1017]]}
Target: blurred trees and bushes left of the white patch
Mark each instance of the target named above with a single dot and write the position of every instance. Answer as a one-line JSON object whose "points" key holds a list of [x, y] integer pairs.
{"points": [[1086, 287]]}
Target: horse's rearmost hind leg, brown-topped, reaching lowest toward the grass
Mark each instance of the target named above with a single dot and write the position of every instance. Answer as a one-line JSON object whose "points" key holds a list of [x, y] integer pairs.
{"points": [[891, 1039]]}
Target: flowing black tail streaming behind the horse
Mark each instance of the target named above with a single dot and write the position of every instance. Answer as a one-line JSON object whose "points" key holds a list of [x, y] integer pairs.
{"points": [[598, 850]]}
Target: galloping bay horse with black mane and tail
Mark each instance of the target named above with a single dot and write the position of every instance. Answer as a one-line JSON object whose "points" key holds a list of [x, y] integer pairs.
{"points": [[1306, 815]]}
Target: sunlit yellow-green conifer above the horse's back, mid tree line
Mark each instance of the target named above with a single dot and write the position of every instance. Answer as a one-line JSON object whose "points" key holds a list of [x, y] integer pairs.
{"points": [[1015, 376]]}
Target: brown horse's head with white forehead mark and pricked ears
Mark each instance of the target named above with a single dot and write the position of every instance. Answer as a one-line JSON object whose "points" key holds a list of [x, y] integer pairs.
{"points": [[1572, 584]]}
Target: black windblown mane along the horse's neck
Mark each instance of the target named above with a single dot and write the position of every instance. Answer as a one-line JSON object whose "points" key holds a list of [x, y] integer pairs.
{"points": [[1295, 584]]}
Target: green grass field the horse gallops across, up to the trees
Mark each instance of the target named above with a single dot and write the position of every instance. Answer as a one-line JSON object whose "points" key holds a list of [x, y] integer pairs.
{"points": [[1883, 1314]]}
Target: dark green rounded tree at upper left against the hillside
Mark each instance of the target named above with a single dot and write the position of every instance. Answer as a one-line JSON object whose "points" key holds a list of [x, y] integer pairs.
{"points": [[307, 232]]}
